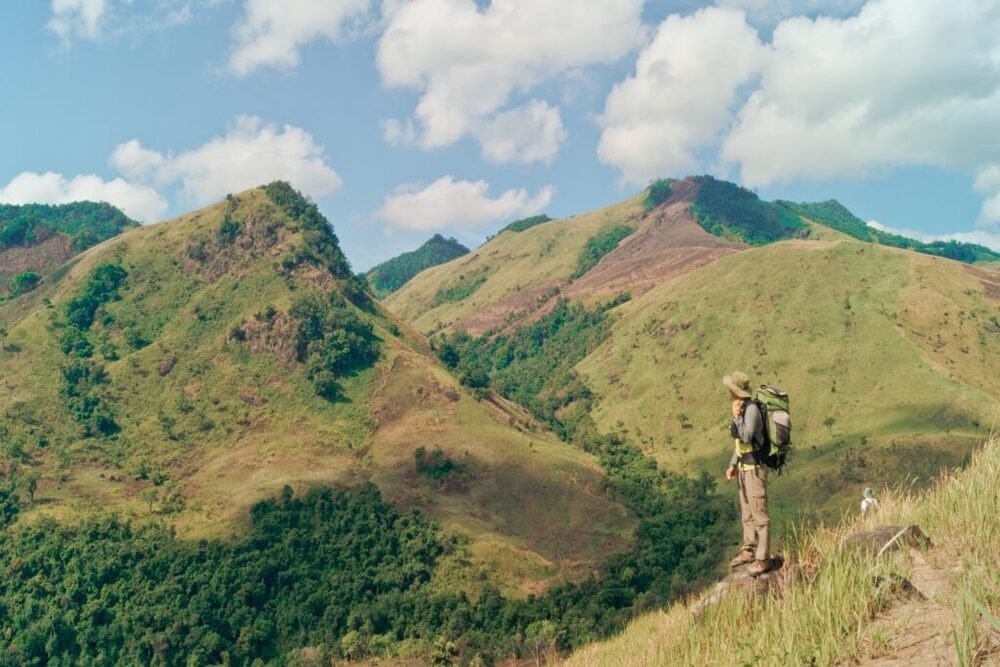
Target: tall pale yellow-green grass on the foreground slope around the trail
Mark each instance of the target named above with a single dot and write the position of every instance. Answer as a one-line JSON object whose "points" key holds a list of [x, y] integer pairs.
{"points": [[827, 621]]}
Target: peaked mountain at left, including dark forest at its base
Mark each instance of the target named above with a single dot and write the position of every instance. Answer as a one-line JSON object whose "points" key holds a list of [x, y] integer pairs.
{"points": [[181, 399]]}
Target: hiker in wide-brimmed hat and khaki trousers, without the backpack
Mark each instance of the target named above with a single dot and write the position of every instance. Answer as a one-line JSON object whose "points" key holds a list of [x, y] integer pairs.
{"points": [[747, 428]]}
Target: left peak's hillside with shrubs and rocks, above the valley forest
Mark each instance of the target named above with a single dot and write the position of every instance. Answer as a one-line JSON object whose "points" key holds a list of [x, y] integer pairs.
{"points": [[183, 371]]}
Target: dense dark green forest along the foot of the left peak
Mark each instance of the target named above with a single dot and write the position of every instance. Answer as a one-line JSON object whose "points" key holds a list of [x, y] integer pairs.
{"points": [[335, 571]]}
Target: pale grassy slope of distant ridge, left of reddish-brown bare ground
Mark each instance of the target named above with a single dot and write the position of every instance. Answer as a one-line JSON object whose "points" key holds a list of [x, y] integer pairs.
{"points": [[512, 261]]}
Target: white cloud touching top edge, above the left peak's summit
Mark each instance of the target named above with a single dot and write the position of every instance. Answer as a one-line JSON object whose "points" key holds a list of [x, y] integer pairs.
{"points": [[272, 32]]}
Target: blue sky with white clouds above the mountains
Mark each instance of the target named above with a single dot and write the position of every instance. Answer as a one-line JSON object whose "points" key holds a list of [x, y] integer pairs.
{"points": [[403, 118]]}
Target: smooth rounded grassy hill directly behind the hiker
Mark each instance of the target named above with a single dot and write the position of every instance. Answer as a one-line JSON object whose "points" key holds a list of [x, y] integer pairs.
{"points": [[892, 346]]}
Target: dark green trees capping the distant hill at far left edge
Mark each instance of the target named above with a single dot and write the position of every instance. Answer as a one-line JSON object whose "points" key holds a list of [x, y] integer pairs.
{"points": [[87, 223]]}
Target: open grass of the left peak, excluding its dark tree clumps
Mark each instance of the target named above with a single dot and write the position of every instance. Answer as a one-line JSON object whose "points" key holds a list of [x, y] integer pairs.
{"points": [[243, 425]]}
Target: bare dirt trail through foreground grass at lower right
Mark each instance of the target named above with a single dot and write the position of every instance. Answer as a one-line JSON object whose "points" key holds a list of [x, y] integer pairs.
{"points": [[920, 630]]}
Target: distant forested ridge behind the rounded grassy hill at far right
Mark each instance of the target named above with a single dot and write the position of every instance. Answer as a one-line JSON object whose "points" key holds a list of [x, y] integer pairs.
{"points": [[834, 214]]}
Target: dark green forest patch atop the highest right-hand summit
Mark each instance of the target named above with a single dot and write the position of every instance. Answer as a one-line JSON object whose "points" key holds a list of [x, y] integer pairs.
{"points": [[727, 210]]}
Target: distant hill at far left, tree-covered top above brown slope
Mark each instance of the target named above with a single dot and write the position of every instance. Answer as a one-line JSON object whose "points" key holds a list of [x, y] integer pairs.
{"points": [[36, 239]]}
